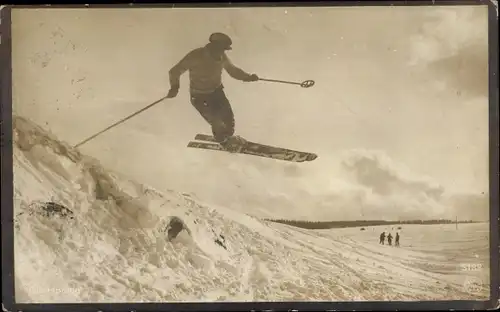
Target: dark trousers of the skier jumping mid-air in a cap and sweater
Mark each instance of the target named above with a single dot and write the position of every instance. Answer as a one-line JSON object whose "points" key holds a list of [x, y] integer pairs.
{"points": [[216, 110]]}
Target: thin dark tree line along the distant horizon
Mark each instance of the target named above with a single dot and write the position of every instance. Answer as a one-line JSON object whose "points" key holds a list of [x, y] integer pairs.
{"points": [[357, 223]]}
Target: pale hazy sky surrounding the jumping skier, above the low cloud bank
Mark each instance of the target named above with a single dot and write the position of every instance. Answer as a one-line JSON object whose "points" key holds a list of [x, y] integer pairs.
{"points": [[409, 83]]}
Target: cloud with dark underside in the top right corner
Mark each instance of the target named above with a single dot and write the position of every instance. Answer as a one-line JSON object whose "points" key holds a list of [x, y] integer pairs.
{"points": [[453, 46]]}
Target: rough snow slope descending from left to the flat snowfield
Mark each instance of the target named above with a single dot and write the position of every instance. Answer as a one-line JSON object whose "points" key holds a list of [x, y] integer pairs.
{"points": [[113, 246]]}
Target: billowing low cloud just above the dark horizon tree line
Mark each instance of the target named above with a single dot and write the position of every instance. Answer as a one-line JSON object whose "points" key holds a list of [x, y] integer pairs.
{"points": [[373, 186]]}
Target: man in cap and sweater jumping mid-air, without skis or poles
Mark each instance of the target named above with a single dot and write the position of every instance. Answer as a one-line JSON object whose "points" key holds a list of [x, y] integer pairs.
{"points": [[205, 65]]}
